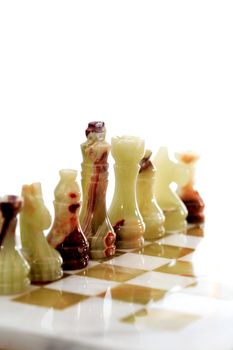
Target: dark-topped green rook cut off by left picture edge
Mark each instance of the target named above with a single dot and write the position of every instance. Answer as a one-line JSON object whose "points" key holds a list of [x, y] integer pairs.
{"points": [[14, 269]]}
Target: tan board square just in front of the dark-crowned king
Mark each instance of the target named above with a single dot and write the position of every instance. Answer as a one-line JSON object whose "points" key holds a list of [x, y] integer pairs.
{"points": [[111, 272]]}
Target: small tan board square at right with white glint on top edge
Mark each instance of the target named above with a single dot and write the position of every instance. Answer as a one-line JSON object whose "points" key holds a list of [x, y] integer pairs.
{"points": [[182, 268]]}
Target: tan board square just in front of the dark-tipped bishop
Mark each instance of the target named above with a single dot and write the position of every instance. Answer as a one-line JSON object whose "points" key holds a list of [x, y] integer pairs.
{"points": [[164, 251]]}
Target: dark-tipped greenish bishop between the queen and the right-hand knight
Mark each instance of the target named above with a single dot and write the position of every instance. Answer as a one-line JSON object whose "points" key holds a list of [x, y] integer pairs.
{"points": [[152, 215]]}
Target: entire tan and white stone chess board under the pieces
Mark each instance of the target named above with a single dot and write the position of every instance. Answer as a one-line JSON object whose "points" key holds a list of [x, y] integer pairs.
{"points": [[143, 299]]}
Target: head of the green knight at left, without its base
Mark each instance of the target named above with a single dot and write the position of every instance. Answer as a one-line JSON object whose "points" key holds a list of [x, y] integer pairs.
{"points": [[34, 211]]}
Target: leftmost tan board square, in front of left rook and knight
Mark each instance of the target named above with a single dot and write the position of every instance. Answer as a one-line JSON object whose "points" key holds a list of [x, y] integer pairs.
{"points": [[50, 298]]}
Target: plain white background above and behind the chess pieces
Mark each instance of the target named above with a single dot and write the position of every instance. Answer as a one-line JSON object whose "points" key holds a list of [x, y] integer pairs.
{"points": [[161, 70]]}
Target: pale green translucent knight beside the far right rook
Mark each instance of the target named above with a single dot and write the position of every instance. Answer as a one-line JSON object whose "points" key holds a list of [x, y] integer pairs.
{"points": [[173, 208]]}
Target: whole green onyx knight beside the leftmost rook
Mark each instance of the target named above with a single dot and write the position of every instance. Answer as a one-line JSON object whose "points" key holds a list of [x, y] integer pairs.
{"points": [[44, 260]]}
